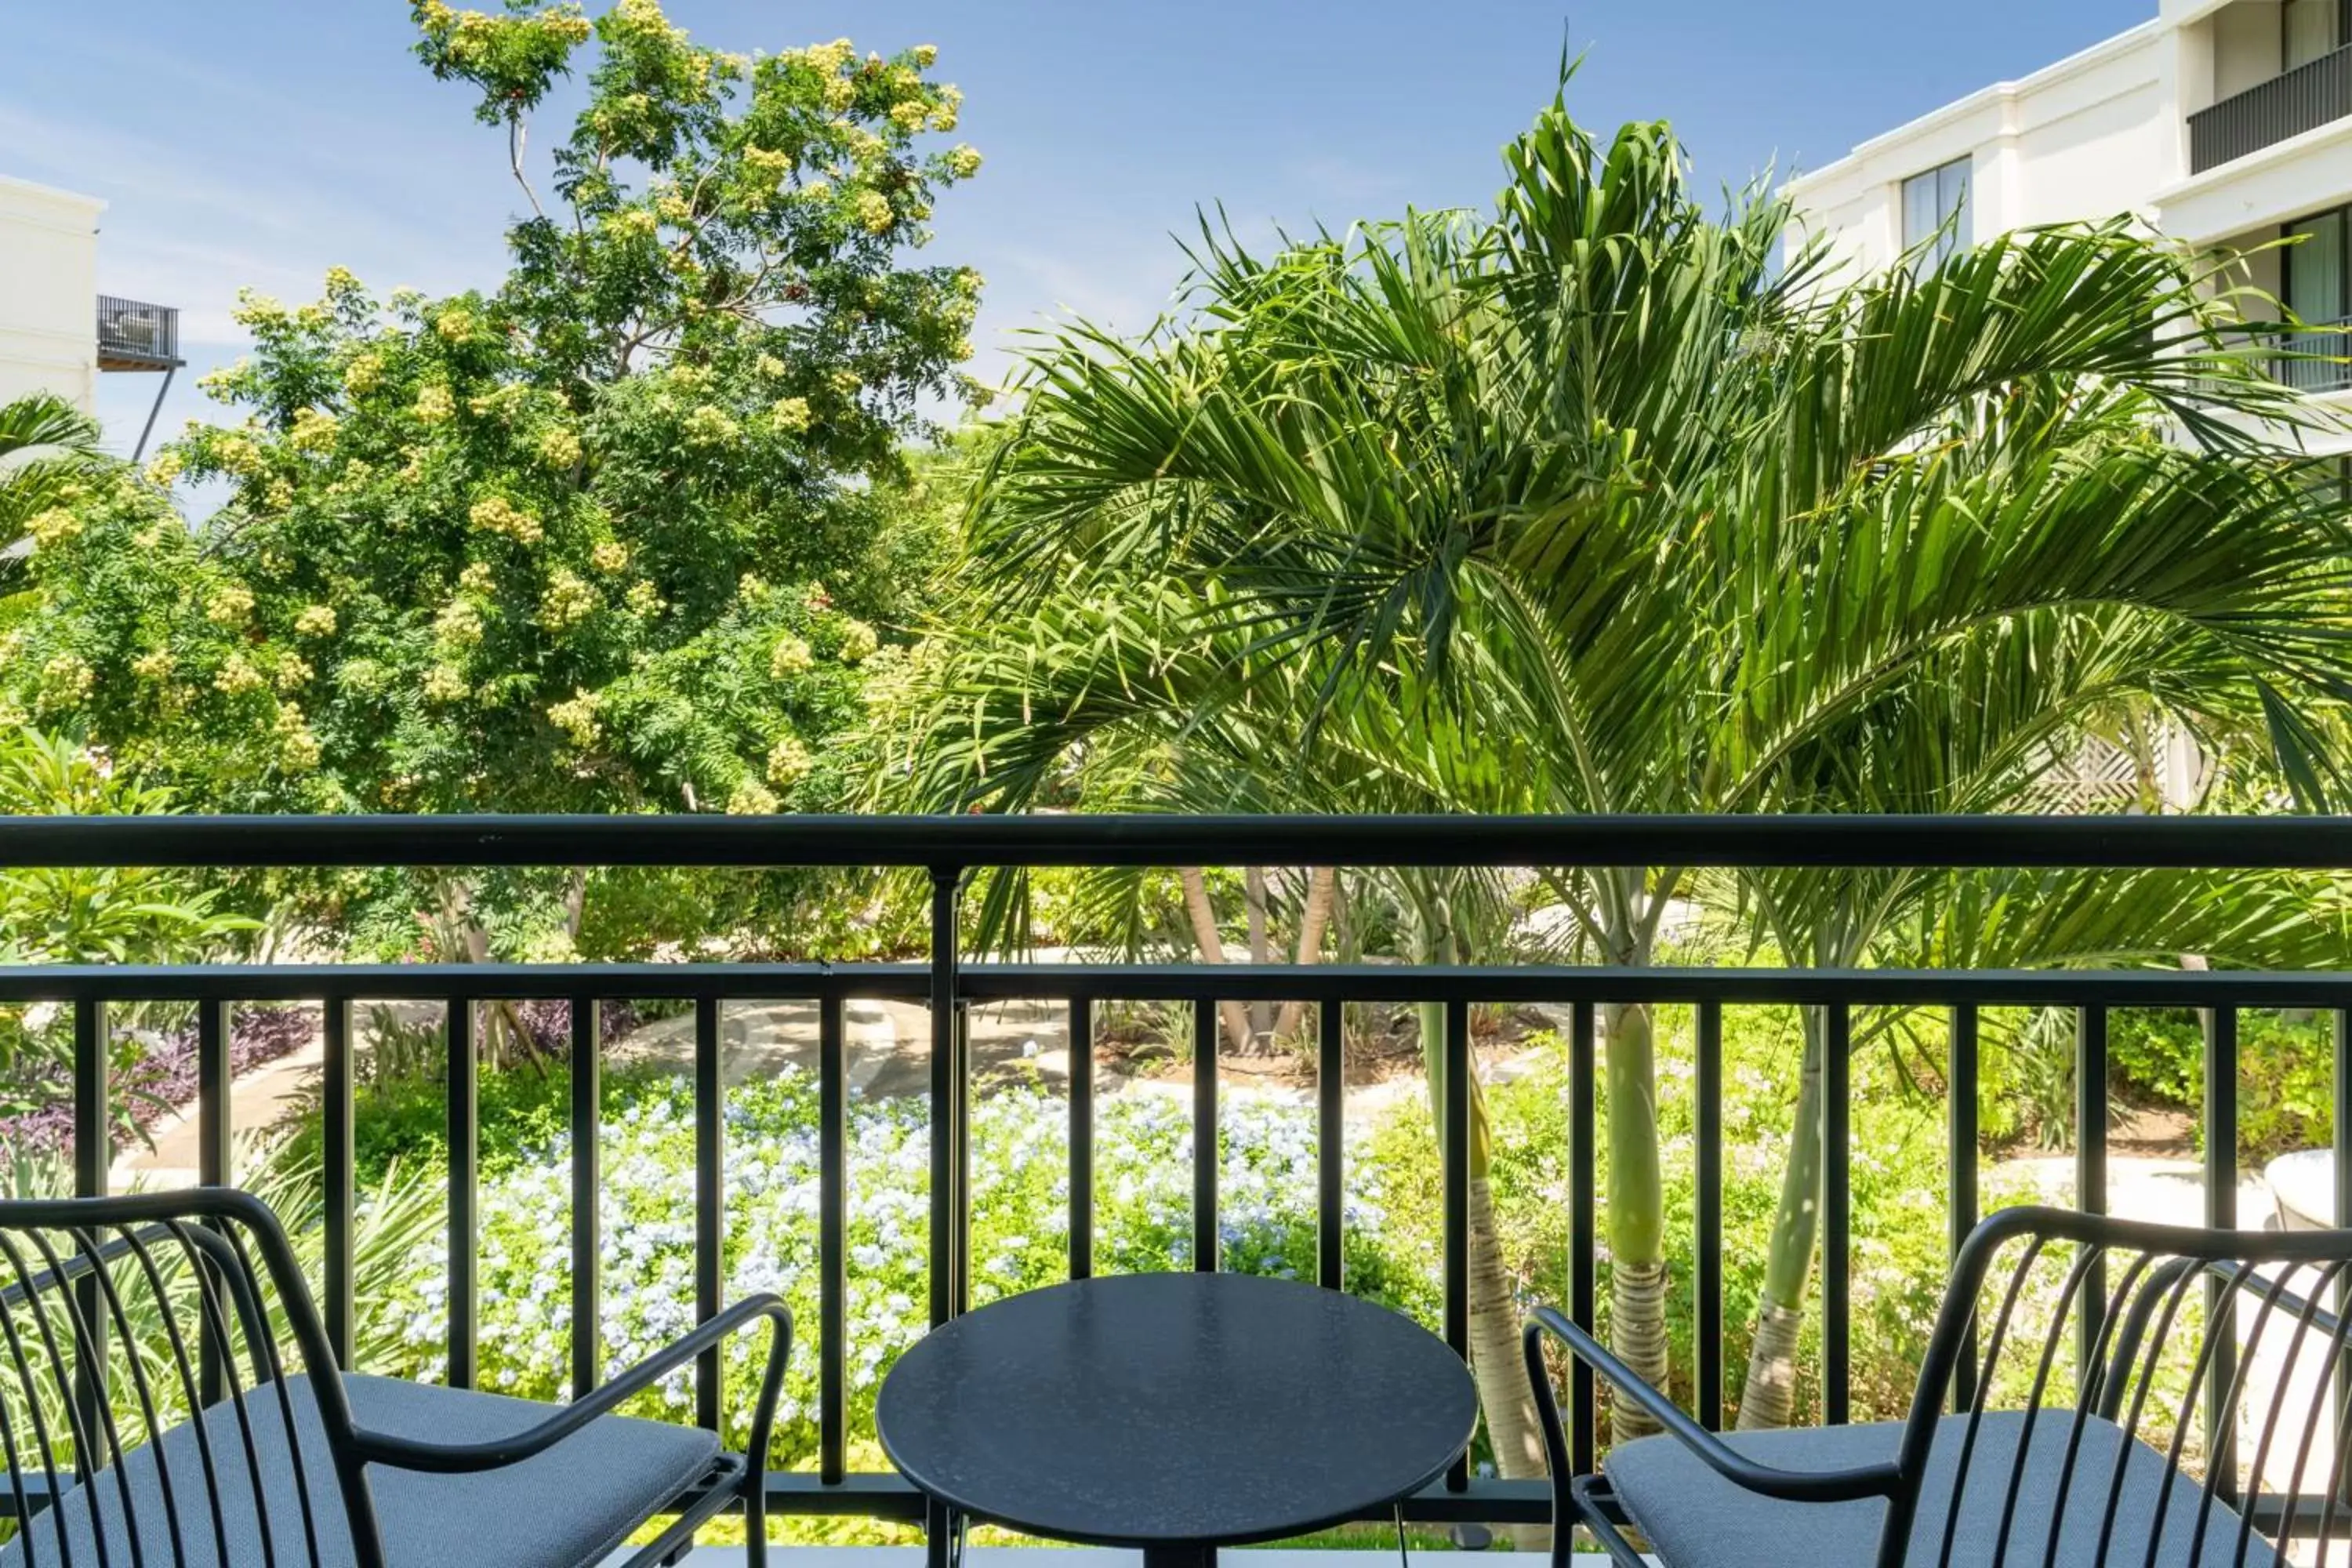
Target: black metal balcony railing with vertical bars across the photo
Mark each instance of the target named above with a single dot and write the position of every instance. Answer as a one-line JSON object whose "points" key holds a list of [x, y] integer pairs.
{"points": [[954, 847]]}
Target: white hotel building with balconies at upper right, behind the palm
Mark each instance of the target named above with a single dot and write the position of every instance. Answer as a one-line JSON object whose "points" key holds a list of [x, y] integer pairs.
{"points": [[2221, 123]]}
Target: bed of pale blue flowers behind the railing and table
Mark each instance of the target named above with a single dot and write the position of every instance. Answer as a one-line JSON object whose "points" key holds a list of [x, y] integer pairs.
{"points": [[1020, 1235]]}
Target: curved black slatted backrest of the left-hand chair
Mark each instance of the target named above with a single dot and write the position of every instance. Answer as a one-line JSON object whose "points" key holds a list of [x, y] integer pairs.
{"points": [[168, 1393]]}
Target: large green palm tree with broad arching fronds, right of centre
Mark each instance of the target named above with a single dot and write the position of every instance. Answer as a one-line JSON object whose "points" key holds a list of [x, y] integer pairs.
{"points": [[1591, 507]]}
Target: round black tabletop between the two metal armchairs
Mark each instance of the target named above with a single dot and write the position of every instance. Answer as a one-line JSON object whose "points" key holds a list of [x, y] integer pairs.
{"points": [[1175, 1412]]}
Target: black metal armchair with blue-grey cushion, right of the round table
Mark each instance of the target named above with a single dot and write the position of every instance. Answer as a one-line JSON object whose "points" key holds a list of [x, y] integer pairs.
{"points": [[2040, 1466]]}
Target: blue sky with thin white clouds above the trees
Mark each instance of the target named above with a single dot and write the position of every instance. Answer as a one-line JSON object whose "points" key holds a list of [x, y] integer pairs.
{"points": [[258, 142]]}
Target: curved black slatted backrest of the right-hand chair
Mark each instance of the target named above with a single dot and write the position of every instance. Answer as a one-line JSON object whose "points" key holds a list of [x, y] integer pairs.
{"points": [[2132, 1395]]}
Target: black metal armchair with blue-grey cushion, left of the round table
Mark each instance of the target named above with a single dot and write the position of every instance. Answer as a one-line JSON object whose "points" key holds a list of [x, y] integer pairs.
{"points": [[154, 1409]]}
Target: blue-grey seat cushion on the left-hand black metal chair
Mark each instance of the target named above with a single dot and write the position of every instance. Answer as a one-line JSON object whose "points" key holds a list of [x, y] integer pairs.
{"points": [[566, 1508]]}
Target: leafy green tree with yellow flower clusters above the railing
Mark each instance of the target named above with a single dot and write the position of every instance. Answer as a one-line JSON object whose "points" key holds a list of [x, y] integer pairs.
{"points": [[601, 540]]}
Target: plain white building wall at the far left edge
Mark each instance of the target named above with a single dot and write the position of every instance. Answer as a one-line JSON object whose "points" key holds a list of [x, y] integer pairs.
{"points": [[48, 293]]}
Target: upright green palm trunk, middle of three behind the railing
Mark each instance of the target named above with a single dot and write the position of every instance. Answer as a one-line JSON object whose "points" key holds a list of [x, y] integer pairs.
{"points": [[1636, 1209]]}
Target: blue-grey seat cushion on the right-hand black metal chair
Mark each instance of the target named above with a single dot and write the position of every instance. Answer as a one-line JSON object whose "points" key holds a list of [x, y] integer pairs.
{"points": [[1699, 1520]]}
